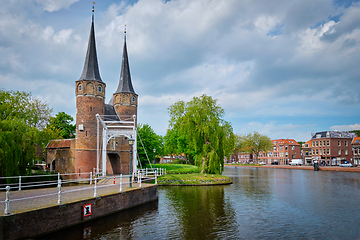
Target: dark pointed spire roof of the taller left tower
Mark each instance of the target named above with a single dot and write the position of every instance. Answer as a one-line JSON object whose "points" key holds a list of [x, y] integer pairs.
{"points": [[91, 68]]}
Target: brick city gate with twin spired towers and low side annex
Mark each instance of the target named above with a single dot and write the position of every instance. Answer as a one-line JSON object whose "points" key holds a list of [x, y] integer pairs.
{"points": [[80, 155]]}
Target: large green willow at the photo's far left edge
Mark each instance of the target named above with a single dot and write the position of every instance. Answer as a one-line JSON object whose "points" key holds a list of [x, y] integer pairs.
{"points": [[23, 121]]}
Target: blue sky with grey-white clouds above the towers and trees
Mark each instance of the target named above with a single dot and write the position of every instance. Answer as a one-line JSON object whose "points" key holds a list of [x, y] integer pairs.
{"points": [[283, 68]]}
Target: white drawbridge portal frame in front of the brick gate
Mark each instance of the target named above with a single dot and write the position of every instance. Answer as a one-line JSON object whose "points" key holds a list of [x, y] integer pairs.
{"points": [[111, 130]]}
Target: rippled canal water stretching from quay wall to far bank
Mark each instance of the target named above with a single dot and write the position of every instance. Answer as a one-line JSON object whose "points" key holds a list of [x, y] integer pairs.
{"points": [[262, 203]]}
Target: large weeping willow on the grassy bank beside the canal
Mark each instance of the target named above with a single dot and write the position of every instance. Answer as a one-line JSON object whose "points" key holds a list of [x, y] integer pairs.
{"points": [[210, 138]]}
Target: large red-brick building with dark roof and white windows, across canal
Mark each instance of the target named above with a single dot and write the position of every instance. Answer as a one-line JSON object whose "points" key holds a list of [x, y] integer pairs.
{"points": [[332, 147]]}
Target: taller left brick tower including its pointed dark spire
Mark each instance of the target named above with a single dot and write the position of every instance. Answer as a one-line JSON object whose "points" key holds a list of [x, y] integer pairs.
{"points": [[90, 100]]}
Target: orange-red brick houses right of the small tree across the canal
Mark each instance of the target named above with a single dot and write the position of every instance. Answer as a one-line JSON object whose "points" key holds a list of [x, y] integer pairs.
{"points": [[284, 150]]}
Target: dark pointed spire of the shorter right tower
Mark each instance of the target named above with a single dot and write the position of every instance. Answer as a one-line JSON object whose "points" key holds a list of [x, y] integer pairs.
{"points": [[125, 85]]}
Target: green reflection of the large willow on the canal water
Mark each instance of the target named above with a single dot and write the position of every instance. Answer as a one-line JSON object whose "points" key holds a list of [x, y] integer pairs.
{"points": [[200, 211]]}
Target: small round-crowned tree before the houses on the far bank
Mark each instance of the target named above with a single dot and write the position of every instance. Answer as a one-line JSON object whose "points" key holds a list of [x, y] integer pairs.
{"points": [[254, 144]]}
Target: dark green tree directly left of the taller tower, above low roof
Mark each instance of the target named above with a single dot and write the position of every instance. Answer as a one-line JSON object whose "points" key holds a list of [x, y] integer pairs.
{"points": [[61, 123]]}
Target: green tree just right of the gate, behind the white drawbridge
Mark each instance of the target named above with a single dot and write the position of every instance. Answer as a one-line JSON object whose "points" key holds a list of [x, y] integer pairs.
{"points": [[150, 141]]}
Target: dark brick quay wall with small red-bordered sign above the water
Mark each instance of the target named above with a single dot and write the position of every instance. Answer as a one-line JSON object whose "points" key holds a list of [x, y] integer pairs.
{"points": [[46, 220]]}
